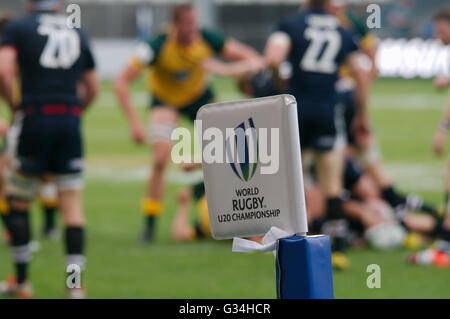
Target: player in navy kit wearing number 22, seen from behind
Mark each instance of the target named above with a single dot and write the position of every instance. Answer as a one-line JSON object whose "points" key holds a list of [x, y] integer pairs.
{"points": [[301, 39]]}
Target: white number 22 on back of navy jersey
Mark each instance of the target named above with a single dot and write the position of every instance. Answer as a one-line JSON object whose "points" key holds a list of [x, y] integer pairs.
{"points": [[326, 40]]}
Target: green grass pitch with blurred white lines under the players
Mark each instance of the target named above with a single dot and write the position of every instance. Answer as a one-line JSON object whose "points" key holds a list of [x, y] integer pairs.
{"points": [[405, 114]]}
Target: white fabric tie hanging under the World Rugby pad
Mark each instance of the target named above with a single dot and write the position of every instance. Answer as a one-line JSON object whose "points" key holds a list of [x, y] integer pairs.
{"points": [[269, 242]]}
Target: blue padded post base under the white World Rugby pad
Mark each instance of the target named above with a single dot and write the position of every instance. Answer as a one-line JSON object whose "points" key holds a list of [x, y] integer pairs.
{"points": [[303, 268]]}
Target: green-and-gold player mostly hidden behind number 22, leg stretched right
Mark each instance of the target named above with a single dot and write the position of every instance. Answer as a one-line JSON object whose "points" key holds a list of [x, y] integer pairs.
{"points": [[363, 147]]}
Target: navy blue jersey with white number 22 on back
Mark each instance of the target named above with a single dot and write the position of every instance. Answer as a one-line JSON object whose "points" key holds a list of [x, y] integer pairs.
{"points": [[319, 45]]}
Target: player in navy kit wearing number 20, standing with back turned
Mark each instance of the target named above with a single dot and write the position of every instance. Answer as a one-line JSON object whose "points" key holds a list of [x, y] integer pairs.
{"points": [[45, 138]]}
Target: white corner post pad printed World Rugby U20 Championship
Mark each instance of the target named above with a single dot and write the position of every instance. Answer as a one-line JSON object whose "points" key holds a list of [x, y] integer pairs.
{"points": [[254, 187]]}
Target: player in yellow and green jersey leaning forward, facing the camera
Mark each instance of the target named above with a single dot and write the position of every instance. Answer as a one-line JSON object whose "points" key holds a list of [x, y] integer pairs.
{"points": [[179, 84]]}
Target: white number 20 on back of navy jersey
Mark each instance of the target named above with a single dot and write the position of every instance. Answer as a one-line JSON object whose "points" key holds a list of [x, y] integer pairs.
{"points": [[62, 48]]}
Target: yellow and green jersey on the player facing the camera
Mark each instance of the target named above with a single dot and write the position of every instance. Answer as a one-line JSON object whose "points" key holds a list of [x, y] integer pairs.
{"points": [[177, 77]]}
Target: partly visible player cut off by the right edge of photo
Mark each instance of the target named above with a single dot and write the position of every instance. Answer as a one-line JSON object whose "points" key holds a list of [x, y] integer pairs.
{"points": [[439, 255]]}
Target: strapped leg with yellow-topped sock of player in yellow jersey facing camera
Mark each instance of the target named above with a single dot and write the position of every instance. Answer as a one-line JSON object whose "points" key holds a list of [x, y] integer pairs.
{"points": [[162, 122]]}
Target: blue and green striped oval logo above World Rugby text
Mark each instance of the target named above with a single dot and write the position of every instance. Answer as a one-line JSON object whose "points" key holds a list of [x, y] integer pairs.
{"points": [[242, 150]]}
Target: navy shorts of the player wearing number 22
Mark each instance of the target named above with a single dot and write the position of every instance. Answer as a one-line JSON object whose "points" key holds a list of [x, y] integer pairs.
{"points": [[318, 123]]}
